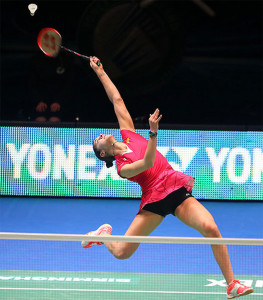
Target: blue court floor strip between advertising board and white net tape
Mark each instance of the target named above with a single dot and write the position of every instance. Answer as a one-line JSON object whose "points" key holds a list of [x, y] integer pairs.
{"points": [[78, 216]]}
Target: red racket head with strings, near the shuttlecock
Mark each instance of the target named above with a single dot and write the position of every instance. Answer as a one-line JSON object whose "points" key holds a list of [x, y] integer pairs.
{"points": [[49, 41]]}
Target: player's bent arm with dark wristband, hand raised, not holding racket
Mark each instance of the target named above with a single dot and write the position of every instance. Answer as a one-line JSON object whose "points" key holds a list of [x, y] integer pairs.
{"points": [[147, 162]]}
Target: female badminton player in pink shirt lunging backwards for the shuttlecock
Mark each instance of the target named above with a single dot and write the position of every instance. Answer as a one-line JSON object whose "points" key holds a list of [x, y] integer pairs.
{"points": [[164, 190]]}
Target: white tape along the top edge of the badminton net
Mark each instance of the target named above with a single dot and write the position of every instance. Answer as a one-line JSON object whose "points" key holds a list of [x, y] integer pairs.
{"points": [[130, 239]]}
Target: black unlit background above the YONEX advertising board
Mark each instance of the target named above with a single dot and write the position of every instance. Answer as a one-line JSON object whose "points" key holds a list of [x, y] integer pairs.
{"points": [[196, 68]]}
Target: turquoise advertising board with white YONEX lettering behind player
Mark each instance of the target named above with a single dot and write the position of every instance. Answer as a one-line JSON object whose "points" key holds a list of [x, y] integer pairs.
{"points": [[45, 161]]}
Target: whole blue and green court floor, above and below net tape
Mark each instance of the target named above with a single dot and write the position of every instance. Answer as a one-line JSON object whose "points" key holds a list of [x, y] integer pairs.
{"points": [[63, 270]]}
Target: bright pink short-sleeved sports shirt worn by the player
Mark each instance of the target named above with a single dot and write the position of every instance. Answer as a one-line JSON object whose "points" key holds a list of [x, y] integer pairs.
{"points": [[158, 181]]}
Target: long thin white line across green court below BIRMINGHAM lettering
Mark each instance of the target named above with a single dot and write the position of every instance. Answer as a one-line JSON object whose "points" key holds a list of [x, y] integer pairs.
{"points": [[120, 291]]}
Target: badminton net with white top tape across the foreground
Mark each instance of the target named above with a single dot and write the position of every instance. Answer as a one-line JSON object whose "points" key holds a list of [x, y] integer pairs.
{"points": [[54, 266]]}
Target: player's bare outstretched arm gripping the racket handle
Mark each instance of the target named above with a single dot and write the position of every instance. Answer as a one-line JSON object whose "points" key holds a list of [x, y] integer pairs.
{"points": [[123, 116]]}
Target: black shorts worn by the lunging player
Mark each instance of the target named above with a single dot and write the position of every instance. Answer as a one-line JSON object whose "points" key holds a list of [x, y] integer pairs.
{"points": [[169, 204]]}
